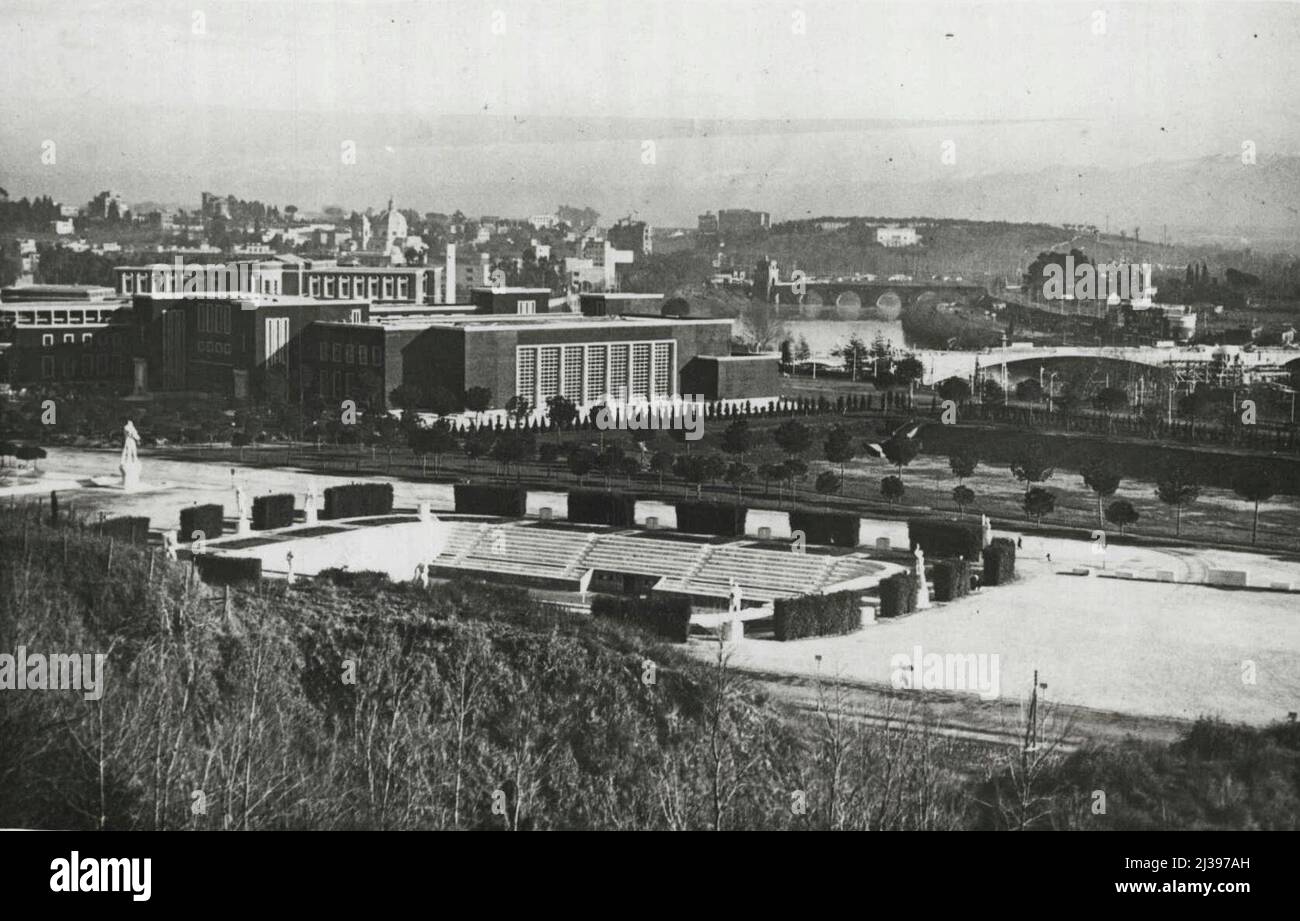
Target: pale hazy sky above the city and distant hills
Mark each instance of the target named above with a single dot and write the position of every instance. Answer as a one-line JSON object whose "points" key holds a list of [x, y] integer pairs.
{"points": [[164, 98]]}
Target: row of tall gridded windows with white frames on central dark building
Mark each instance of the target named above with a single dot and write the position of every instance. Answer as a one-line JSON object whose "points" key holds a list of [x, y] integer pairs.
{"points": [[588, 374]]}
